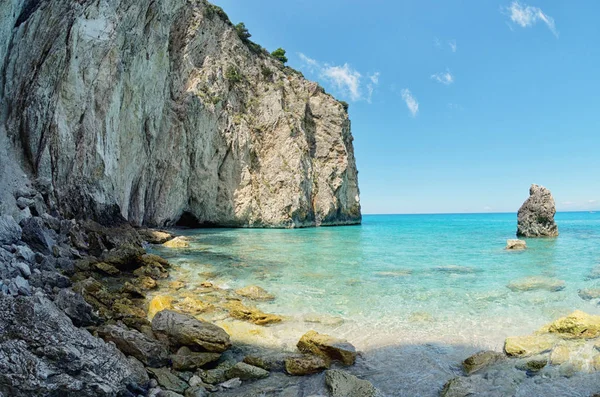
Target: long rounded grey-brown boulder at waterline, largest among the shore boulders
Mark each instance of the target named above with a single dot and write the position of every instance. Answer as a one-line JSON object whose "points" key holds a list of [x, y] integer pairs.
{"points": [[184, 330]]}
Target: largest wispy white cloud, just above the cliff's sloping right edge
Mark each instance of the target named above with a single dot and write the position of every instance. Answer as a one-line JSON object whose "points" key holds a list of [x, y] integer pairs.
{"points": [[344, 78]]}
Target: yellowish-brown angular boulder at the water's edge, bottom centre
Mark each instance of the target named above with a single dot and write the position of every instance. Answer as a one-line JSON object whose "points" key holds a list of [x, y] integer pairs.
{"points": [[327, 346]]}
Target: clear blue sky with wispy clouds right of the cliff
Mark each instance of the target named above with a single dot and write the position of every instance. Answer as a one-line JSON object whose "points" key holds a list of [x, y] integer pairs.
{"points": [[456, 106]]}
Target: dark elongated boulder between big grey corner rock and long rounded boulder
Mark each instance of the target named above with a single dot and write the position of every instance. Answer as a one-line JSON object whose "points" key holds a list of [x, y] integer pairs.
{"points": [[131, 342]]}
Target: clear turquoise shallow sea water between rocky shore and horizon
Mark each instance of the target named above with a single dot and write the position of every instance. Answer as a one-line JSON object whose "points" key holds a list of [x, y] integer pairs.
{"points": [[436, 282]]}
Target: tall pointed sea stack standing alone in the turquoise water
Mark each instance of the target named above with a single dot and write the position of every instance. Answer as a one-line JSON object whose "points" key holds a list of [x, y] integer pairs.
{"points": [[536, 215]]}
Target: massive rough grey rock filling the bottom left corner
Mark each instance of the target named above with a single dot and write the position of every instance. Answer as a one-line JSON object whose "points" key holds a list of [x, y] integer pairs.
{"points": [[42, 353]]}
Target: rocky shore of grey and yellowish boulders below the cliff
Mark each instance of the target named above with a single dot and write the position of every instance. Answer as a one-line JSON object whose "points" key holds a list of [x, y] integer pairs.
{"points": [[85, 311]]}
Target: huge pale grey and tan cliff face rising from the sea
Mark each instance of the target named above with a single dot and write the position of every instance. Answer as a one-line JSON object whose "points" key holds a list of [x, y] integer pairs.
{"points": [[157, 110]]}
